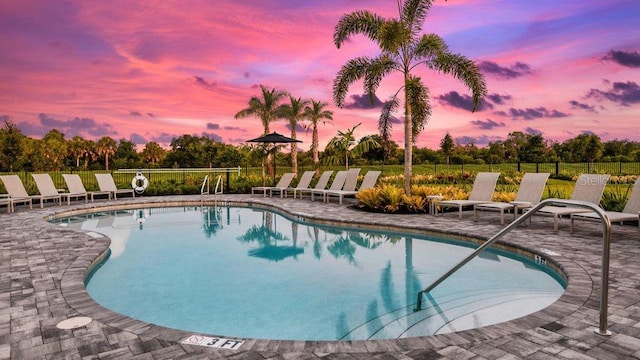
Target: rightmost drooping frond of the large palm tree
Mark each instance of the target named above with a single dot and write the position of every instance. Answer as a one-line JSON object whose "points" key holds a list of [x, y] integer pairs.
{"points": [[465, 70]]}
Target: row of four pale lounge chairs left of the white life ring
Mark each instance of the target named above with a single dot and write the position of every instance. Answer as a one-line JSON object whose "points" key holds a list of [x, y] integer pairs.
{"points": [[17, 194]]}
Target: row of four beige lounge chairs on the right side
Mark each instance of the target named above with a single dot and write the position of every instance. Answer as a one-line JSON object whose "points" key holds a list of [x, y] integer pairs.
{"points": [[589, 188]]}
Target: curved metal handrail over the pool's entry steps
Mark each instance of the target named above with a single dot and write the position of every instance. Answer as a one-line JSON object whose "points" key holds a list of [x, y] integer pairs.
{"points": [[606, 243]]}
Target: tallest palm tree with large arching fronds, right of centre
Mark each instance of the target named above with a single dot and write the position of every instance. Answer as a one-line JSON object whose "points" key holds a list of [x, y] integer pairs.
{"points": [[403, 48]]}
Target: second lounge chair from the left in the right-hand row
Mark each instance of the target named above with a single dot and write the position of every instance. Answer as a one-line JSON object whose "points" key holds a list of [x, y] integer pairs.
{"points": [[529, 194]]}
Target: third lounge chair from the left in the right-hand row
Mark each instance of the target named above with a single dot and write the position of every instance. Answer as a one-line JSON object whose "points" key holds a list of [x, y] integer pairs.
{"points": [[589, 188]]}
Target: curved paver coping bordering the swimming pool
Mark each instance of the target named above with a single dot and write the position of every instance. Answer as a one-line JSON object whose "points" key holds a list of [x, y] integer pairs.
{"points": [[72, 288]]}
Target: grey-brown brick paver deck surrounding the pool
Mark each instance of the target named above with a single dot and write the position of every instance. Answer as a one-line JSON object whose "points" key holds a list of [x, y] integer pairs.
{"points": [[42, 267]]}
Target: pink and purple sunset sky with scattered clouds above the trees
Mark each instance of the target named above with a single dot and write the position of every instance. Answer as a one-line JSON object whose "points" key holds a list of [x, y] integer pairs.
{"points": [[154, 70]]}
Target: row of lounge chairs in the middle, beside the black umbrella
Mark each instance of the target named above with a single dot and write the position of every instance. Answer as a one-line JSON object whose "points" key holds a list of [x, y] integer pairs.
{"points": [[344, 184]]}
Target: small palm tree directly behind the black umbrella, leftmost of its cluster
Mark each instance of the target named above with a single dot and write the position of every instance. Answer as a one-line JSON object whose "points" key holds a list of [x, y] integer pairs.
{"points": [[265, 108]]}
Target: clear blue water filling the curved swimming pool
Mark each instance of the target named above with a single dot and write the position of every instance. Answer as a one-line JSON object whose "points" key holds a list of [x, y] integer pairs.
{"points": [[253, 273]]}
